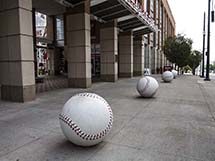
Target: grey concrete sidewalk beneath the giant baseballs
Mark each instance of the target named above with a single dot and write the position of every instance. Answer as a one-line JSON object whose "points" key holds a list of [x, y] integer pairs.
{"points": [[177, 125]]}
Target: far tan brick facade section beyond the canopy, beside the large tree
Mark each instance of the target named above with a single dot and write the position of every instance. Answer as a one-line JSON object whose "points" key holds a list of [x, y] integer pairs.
{"points": [[160, 11]]}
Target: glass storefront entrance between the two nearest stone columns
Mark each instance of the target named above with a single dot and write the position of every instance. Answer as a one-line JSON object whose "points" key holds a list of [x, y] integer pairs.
{"points": [[50, 57]]}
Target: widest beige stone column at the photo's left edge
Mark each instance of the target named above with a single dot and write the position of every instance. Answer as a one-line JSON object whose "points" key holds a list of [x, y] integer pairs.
{"points": [[16, 51]]}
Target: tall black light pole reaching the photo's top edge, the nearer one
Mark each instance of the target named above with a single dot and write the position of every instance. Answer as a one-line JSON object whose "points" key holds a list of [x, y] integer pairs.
{"points": [[208, 43]]}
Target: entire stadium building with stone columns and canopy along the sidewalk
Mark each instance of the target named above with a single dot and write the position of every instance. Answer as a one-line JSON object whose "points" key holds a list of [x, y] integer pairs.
{"points": [[80, 41]]}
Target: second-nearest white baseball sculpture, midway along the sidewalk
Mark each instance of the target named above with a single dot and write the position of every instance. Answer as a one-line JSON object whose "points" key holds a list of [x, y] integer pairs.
{"points": [[147, 86]]}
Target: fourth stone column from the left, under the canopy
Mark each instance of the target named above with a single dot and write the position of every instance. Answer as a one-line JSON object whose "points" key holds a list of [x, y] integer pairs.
{"points": [[126, 54]]}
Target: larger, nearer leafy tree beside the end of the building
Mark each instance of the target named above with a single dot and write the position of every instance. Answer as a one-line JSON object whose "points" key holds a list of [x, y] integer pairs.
{"points": [[177, 49]]}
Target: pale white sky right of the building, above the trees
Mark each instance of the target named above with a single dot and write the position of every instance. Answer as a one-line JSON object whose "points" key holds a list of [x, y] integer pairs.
{"points": [[188, 16]]}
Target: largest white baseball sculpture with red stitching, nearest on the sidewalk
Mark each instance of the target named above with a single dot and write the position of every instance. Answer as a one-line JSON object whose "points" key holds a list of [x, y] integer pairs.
{"points": [[86, 119]]}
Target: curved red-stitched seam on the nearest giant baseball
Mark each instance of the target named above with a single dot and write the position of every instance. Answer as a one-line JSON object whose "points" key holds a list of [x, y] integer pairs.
{"points": [[78, 131]]}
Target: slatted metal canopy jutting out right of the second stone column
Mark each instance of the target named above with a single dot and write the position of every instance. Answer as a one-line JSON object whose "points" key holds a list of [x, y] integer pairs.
{"points": [[128, 13]]}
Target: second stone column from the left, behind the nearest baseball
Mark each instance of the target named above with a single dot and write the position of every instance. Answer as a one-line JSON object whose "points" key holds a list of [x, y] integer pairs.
{"points": [[78, 46]]}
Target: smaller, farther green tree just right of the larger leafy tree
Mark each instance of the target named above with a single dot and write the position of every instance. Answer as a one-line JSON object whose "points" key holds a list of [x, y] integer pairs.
{"points": [[194, 60]]}
